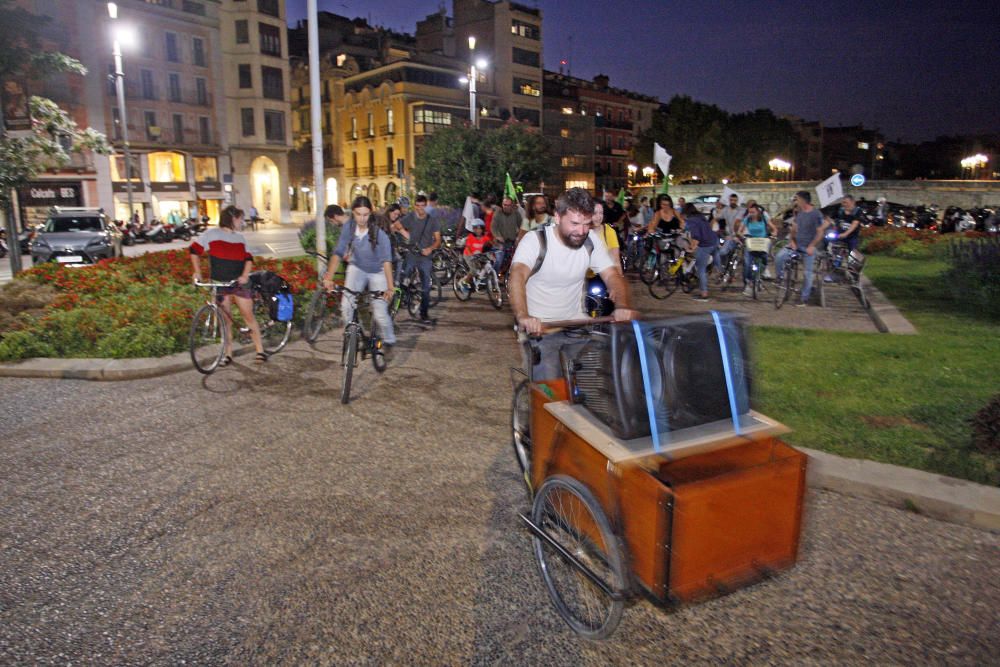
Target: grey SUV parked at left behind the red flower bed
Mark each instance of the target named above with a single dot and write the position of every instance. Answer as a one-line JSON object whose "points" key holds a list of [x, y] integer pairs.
{"points": [[76, 236]]}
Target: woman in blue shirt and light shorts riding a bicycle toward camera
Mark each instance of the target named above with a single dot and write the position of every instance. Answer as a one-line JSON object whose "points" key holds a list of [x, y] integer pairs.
{"points": [[368, 249]]}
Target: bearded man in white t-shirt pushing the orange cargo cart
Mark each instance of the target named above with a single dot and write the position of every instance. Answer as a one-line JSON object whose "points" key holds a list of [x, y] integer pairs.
{"points": [[548, 286]]}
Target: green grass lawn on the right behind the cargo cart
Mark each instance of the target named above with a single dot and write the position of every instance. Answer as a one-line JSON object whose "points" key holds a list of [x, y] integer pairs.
{"points": [[892, 398]]}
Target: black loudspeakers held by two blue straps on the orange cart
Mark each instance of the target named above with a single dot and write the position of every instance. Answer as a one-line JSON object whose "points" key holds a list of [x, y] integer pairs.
{"points": [[676, 373]]}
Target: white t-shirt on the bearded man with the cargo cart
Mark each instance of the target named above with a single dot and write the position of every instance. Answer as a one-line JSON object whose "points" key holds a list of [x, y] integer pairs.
{"points": [[556, 291]]}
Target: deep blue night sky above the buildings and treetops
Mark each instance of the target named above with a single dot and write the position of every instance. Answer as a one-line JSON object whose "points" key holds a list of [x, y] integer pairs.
{"points": [[915, 70]]}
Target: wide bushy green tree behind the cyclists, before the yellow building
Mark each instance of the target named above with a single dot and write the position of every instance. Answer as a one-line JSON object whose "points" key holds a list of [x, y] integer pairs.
{"points": [[457, 161]]}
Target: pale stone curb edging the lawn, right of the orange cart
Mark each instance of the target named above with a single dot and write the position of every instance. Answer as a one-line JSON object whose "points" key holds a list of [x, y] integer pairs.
{"points": [[943, 498]]}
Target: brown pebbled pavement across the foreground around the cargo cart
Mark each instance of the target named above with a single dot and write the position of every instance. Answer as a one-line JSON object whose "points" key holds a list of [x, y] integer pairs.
{"points": [[249, 518]]}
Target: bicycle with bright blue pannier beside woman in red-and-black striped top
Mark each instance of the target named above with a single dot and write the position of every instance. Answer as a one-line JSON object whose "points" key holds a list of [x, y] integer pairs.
{"points": [[210, 325]]}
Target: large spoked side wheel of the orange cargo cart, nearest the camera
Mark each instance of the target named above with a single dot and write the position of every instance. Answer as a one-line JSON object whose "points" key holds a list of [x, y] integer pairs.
{"points": [[567, 512]]}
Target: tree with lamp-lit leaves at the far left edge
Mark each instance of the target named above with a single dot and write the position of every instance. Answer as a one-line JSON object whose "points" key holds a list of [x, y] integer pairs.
{"points": [[53, 134]]}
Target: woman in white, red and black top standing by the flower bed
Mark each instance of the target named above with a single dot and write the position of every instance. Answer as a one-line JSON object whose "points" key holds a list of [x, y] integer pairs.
{"points": [[229, 260]]}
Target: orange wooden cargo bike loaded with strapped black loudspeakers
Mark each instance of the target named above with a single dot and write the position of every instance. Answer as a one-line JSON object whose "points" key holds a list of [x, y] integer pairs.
{"points": [[705, 501]]}
